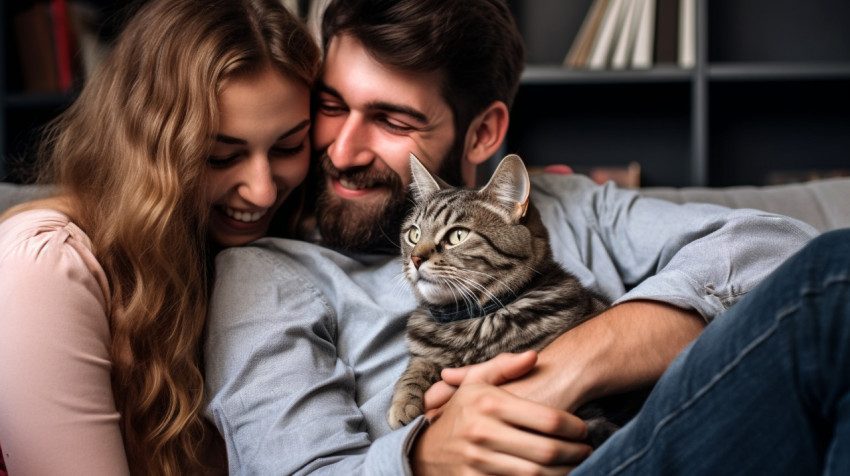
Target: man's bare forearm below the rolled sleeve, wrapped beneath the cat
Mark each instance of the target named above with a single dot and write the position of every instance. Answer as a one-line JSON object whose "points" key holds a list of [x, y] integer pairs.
{"points": [[627, 347]]}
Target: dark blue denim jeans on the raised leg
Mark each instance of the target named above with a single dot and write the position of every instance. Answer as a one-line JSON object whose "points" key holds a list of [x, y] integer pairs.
{"points": [[764, 390]]}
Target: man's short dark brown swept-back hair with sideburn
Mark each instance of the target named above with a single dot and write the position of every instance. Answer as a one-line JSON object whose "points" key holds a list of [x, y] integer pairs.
{"points": [[474, 44]]}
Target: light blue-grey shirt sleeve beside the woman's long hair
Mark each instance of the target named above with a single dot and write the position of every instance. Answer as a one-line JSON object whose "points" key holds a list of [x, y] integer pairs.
{"points": [[279, 393]]}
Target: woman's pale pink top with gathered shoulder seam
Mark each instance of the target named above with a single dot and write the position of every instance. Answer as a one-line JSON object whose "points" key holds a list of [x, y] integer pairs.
{"points": [[57, 412]]}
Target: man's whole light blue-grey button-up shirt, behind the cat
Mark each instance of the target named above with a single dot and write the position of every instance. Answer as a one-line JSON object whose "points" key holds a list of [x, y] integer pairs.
{"points": [[305, 344]]}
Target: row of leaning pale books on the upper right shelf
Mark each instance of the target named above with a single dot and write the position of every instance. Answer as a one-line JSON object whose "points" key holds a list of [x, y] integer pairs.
{"points": [[635, 34]]}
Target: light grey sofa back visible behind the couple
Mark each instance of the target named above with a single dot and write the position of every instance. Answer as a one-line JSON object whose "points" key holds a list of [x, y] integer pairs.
{"points": [[824, 204]]}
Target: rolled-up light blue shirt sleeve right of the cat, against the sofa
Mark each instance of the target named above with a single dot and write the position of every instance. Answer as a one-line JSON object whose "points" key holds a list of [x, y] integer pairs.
{"points": [[695, 256]]}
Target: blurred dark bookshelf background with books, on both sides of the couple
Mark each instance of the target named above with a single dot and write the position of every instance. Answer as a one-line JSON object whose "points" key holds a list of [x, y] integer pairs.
{"points": [[644, 92]]}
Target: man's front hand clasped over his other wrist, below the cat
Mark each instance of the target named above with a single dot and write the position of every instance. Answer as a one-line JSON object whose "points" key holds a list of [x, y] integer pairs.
{"points": [[482, 429]]}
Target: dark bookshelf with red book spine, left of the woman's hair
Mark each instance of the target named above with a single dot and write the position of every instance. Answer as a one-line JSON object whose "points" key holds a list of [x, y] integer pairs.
{"points": [[32, 32]]}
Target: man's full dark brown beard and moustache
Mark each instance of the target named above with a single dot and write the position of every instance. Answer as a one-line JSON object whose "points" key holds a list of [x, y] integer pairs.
{"points": [[354, 226]]}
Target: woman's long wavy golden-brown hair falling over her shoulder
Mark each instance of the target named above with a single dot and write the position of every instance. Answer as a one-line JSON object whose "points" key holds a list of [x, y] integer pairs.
{"points": [[129, 157]]}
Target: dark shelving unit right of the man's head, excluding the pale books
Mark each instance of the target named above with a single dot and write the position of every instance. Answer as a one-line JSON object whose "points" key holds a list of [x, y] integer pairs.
{"points": [[768, 94]]}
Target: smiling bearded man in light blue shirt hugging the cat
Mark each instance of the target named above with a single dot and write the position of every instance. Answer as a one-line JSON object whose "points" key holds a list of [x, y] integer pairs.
{"points": [[305, 341]]}
